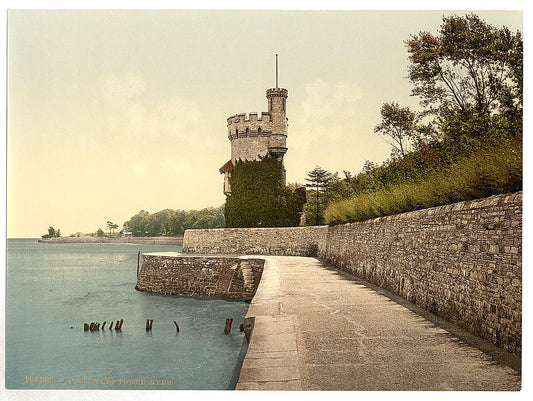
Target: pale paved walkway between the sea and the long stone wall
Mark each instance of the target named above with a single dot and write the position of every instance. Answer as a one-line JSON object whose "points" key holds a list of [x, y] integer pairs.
{"points": [[320, 329]]}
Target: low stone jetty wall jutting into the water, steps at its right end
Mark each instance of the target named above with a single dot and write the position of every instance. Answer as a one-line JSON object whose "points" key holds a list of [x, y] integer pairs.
{"points": [[208, 276]]}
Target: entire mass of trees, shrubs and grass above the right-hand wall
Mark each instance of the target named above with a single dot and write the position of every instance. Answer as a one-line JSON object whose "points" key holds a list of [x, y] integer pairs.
{"points": [[468, 78]]}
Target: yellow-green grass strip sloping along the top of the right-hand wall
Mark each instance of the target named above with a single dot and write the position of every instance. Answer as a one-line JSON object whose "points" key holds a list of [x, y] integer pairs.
{"points": [[494, 169]]}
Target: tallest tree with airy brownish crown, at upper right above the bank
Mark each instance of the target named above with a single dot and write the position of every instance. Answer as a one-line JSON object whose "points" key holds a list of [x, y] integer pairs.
{"points": [[464, 73]]}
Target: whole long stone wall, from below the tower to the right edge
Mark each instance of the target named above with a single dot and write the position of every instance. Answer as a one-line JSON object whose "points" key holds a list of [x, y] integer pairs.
{"points": [[462, 262]]}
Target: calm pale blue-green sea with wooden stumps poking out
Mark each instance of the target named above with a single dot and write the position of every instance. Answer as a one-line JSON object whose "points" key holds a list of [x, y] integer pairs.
{"points": [[53, 289]]}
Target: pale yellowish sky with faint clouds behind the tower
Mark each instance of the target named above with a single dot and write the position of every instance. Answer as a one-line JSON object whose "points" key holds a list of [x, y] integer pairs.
{"points": [[113, 112]]}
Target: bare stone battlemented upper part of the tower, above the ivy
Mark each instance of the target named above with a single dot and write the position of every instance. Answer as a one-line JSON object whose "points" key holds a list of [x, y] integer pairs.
{"points": [[254, 136]]}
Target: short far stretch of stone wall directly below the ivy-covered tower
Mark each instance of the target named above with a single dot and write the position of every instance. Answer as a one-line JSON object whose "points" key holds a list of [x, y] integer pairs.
{"points": [[289, 241]]}
